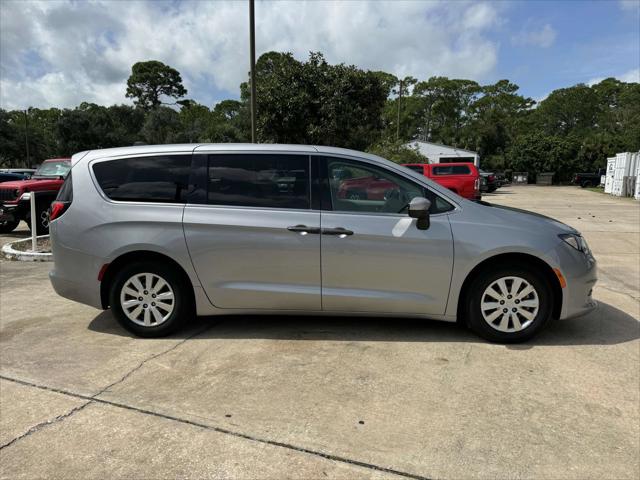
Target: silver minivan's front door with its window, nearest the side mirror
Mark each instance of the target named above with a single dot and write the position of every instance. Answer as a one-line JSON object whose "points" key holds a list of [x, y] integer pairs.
{"points": [[374, 258]]}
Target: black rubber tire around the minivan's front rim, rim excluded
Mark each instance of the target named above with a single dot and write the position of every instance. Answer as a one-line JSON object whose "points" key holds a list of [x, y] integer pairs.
{"points": [[481, 327]]}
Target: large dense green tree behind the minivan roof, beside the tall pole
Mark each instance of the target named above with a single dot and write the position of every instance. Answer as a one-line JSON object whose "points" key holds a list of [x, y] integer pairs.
{"points": [[316, 103]]}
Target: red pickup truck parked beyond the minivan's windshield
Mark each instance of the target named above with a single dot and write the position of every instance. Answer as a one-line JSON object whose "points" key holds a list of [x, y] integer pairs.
{"points": [[461, 178]]}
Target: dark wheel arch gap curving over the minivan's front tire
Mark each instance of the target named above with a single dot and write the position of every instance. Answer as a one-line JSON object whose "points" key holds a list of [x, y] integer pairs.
{"points": [[512, 258]]}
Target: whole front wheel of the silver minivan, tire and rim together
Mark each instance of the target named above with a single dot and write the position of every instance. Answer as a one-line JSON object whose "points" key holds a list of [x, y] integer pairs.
{"points": [[509, 304]]}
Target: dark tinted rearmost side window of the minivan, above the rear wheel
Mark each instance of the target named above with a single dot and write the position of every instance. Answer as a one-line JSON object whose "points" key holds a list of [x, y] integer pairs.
{"points": [[145, 179]]}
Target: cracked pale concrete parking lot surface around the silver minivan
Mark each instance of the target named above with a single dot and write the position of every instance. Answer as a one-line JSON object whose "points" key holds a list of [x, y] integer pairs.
{"points": [[309, 397]]}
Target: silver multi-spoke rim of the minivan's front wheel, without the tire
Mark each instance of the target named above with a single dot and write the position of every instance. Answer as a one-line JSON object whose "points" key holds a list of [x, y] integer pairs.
{"points": [[510, 304]]}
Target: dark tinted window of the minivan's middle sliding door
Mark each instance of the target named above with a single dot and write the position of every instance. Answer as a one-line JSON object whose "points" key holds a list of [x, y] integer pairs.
{"points": [[274, 181]]}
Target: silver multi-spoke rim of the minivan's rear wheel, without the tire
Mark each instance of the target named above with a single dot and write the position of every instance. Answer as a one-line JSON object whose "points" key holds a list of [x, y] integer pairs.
{"points": [[147, 299]]}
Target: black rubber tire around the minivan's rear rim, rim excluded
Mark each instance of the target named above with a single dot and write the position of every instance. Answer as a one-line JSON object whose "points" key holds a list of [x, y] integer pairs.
{"points": [[183, 303]]}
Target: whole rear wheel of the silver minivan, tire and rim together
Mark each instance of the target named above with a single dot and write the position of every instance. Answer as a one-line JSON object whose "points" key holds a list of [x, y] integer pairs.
{"points": [[149, 299]]}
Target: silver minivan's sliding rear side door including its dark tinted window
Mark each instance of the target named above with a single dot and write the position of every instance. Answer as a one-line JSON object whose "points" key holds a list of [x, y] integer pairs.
{"points": [[254, 241]]}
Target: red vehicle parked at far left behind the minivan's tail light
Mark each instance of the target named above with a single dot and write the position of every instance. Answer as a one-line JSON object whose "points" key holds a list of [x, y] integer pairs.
{"points": [[15, 196]]}
